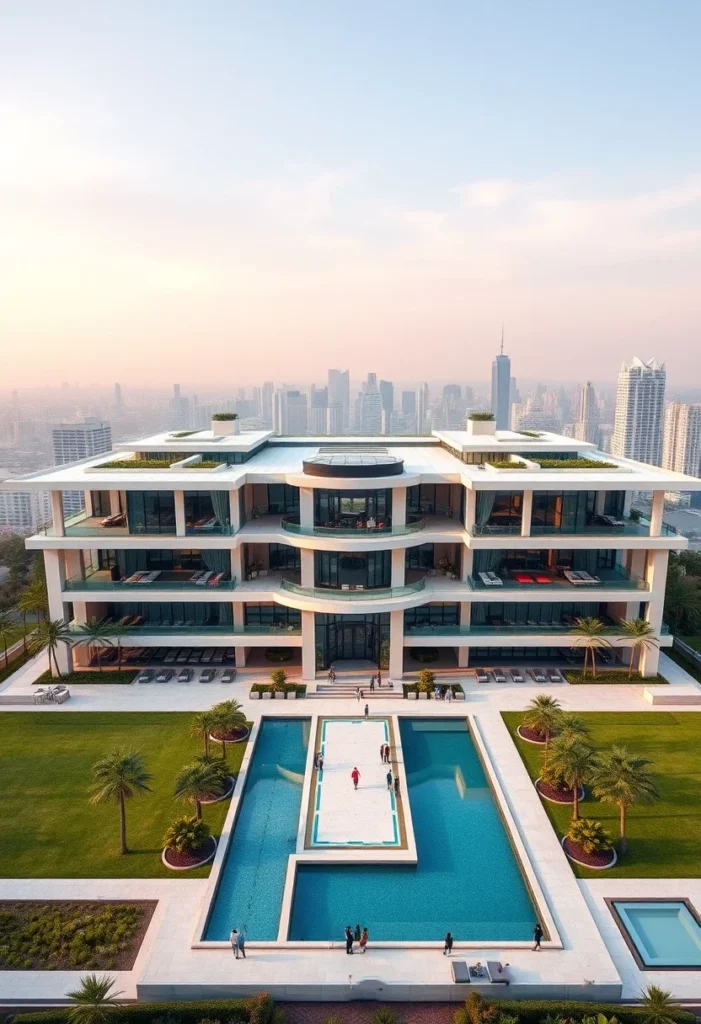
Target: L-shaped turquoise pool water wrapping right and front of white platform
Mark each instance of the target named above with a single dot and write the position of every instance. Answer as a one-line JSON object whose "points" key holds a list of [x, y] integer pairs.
{"points": [[467, 879]]}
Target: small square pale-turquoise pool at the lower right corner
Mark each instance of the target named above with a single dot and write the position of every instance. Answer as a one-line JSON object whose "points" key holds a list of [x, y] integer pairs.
{"points": [[663, 935]]}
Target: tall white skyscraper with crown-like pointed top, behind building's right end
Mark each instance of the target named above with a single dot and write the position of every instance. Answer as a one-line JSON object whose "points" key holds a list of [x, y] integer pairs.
{"points": [[640, 410]]}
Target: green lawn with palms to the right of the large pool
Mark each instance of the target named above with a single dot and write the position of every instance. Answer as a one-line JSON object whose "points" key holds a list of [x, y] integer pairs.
{"points": [[665, 838]]}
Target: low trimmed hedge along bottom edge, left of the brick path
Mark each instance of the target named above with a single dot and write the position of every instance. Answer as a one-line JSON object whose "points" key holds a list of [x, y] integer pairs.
{"points": [[260, 1010]]}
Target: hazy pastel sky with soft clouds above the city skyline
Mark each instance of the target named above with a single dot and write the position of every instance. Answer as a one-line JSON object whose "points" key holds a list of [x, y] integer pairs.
{"points": [[213, 191]]}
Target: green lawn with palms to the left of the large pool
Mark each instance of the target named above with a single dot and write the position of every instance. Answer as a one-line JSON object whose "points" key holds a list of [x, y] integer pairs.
{"points": [[51, 830]]}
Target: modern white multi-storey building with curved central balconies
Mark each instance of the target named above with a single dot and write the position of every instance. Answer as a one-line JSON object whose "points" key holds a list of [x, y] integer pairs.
{"points": [[362, 549]]}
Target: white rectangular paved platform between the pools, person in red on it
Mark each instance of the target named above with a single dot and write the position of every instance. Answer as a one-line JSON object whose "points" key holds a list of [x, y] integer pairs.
{"points": [[367, 817]]}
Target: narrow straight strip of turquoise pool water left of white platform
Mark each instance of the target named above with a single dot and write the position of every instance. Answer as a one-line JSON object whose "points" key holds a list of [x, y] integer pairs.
{"points": [[252, 880]]}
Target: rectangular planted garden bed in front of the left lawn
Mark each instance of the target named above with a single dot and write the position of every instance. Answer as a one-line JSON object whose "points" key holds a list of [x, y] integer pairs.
{"points": [[71, 935]]}
